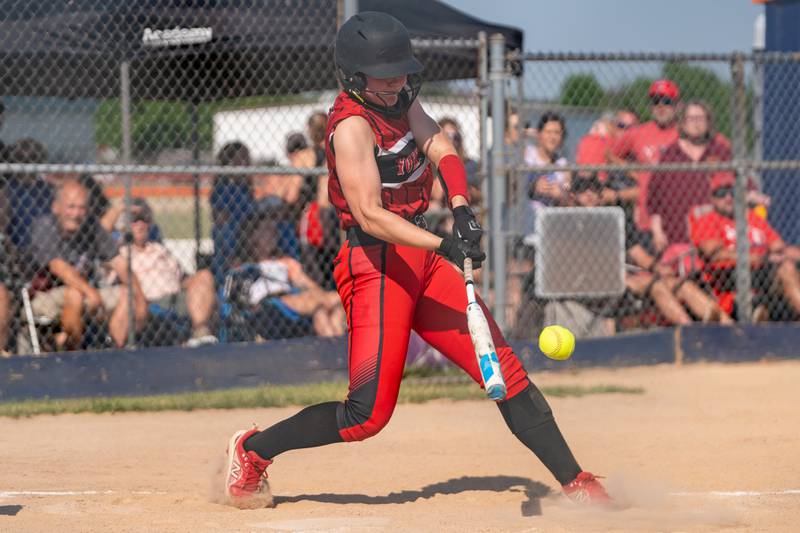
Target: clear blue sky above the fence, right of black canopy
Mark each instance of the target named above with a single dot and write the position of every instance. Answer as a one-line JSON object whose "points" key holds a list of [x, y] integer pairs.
{"points": [[623, 25]]}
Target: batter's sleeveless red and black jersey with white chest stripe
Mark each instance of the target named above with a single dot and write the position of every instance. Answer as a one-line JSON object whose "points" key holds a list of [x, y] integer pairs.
{"points": [[405, 172]]}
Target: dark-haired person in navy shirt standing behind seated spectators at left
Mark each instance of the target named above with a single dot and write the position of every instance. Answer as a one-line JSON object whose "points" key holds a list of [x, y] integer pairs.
{"points": [[232, 206]]}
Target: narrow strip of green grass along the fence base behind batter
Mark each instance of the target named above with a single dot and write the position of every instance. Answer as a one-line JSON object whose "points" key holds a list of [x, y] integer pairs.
{"points": [[413, 391]]}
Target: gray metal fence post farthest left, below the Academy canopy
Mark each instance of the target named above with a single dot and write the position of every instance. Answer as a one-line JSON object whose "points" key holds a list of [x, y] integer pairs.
{"points": [[125, 109]]}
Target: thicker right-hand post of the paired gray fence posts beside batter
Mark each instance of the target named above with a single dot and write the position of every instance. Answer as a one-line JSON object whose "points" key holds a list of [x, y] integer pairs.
{"points": [[497, 76]]}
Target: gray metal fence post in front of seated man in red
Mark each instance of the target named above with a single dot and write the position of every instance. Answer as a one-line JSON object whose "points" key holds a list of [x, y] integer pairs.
{"points": [[744, 296]]}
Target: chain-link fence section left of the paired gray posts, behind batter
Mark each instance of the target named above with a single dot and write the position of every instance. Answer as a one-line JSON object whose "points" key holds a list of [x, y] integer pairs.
{"points": [[163, 169]]}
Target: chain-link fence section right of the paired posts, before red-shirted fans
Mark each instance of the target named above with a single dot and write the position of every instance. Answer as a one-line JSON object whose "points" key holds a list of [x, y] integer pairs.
{"points": [[676, 143]]}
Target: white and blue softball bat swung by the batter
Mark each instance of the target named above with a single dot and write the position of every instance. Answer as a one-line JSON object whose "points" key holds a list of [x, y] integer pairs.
{"points": [[481, 336]]}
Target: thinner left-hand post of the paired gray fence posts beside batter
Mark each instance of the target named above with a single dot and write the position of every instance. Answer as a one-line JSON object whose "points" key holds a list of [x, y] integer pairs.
{"points": [[486, 190]]}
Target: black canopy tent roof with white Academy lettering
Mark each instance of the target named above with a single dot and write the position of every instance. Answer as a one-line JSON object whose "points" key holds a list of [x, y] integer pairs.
{"points": [[202, 50]]}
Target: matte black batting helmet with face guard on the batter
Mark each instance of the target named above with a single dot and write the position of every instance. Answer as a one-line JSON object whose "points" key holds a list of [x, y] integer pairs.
{"points": [[377, 45]]}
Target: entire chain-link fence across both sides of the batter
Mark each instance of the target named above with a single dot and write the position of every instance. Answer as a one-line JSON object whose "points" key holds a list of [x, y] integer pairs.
{"points": [[165, 168]]}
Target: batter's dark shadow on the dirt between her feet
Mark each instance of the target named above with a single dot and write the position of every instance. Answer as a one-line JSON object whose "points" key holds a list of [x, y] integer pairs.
{"points": [[534, 491]]}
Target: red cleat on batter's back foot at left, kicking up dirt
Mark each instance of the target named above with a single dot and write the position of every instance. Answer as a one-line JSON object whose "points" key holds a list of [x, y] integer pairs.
{"points": [[246, 484]]}
